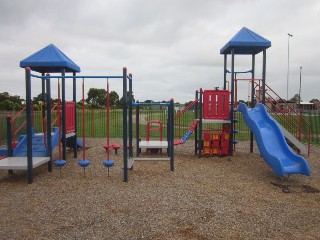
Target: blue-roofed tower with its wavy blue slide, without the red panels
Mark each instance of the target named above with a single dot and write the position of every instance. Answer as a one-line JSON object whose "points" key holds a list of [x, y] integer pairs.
{"points": [[266, 131]]}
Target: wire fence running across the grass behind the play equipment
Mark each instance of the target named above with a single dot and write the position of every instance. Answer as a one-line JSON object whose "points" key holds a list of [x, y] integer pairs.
{"points": [[96, 124]]}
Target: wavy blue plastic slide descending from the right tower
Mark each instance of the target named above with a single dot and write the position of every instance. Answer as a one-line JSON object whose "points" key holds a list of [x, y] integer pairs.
{"points": [[271, 142]]}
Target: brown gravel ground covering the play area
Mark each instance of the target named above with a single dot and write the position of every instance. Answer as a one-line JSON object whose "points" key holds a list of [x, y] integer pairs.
{"points": [[207, 198]]}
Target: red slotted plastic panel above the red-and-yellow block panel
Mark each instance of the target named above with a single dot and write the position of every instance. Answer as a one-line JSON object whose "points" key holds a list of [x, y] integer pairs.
{"points": [[216, 104]]}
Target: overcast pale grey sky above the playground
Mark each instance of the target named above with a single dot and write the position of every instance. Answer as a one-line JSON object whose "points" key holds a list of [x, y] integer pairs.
{"points": [[172, 47]]}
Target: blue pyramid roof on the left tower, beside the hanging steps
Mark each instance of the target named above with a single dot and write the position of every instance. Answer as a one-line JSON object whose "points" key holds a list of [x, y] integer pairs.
{"points": [[49, 60]]}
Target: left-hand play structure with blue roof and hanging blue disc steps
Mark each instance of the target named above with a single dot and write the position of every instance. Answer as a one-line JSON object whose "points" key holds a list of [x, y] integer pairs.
{"points": [[50, 61]]}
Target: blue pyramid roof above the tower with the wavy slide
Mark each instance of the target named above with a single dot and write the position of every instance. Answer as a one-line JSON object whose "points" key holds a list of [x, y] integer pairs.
{"points": [[246, 42]]}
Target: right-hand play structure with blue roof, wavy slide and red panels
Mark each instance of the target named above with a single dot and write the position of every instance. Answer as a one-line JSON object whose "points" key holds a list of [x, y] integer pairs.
{"points": [[216, 108]]}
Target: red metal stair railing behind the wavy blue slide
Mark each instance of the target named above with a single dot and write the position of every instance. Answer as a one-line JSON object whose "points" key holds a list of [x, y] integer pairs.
{"points": [[289, 116]]}
